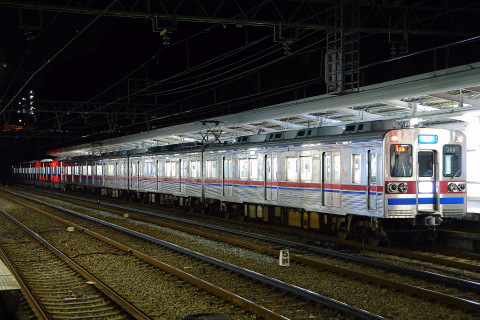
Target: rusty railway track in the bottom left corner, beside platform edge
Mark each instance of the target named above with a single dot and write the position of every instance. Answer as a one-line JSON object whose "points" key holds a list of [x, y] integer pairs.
{"points": [[56, 287]]}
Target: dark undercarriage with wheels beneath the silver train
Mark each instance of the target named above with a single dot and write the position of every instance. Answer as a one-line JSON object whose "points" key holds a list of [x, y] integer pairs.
{"points": [[369, 229]]}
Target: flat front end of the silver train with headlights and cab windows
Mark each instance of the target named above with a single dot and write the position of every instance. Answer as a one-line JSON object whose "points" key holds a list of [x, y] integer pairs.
{"points": [[425, 175]]}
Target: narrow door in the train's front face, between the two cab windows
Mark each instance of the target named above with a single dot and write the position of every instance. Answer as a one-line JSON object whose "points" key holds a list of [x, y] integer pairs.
{"points": [[426, 181]]}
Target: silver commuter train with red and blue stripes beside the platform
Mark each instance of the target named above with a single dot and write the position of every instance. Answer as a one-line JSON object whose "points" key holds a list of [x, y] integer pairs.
{"points": [[366, 178]]}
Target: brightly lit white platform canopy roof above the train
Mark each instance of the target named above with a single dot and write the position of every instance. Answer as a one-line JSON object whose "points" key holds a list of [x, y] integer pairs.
{"points": [[441, 98]]}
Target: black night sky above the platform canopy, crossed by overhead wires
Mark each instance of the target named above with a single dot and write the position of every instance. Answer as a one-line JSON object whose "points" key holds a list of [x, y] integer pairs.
{"points": [[204, 70]]}
